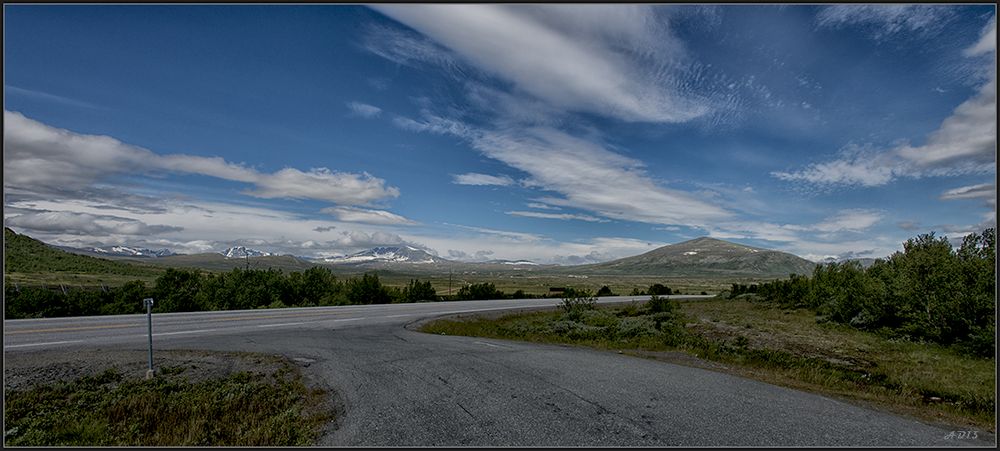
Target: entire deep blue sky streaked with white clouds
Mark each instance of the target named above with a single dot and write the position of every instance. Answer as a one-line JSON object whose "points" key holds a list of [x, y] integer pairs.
{"points": [[558, 133]]}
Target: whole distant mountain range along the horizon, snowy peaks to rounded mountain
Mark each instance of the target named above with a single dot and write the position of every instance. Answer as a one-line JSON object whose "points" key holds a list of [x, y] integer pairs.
{"points": [[701, 257]]}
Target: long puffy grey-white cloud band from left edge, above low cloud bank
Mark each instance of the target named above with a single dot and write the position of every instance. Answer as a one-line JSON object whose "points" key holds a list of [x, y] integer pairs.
{"points": [[41, 158]]}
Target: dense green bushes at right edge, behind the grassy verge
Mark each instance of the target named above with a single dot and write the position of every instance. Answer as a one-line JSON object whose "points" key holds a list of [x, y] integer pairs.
{"points": [[928, 292]]}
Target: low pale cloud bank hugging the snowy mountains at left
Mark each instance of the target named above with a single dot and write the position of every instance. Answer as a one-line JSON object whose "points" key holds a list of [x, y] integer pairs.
{"points": [[193, 227]]}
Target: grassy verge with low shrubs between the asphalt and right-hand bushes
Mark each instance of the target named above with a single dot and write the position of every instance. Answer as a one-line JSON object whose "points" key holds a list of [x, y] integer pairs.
{"points": [[780, 346]]}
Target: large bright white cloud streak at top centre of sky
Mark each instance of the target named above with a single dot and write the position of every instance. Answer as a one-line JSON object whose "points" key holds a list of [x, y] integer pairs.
{"points": [[581, 58]]}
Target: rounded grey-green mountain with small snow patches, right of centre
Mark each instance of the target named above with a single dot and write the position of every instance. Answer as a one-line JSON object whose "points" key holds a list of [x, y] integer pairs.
{"points": [[702, 257]]}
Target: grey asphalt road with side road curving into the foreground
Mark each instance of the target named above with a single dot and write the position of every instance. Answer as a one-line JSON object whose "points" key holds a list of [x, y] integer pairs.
{"points": [[399, 387]]}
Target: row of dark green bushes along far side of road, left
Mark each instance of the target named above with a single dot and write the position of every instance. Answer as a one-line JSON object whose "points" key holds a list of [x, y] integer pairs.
{"points": [[182, 290]]}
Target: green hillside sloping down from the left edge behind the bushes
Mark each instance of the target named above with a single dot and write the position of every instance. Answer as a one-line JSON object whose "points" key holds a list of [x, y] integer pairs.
{"points": [[26, 255]]}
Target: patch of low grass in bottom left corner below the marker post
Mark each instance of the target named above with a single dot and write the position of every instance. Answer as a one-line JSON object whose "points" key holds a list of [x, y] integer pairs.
{"points": [[110, 409]]}
